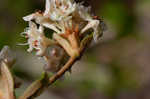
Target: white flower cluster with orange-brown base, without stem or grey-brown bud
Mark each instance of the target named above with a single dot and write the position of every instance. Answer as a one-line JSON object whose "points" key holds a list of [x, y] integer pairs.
{"points": [[70, 22]]}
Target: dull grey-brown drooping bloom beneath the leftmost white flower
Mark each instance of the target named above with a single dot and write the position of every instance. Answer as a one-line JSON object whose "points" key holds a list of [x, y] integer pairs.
{"points": [[55, 57]]}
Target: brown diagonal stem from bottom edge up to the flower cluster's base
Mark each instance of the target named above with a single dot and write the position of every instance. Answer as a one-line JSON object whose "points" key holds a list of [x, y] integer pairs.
{"points": [[39, 86]]}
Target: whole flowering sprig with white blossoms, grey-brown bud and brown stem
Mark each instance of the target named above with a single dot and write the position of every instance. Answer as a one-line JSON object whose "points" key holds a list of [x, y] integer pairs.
{"points": [[74, 28]]}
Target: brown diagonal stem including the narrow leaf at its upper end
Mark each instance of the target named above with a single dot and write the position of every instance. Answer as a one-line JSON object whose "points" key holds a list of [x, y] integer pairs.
{"points": [[39, 86]]}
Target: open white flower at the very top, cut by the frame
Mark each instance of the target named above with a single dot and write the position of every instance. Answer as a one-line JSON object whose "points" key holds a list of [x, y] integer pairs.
{"points": [[59, 9]]}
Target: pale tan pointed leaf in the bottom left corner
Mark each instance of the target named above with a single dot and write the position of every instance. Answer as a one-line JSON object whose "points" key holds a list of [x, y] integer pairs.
{"points": [[6, 82]]}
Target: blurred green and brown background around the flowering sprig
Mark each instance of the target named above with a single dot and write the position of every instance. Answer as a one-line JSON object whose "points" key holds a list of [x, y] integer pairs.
{"points": [[118, 67]]}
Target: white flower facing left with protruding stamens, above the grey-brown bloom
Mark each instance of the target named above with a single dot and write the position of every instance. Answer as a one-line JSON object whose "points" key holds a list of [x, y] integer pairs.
{"points": [[36, 39]]}
